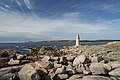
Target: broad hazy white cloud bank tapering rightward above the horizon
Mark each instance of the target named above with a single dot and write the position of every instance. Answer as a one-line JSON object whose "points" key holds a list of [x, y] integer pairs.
{"points": [[14, 25]]}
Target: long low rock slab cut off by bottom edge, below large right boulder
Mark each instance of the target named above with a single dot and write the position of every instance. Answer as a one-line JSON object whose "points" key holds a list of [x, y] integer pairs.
{"points": [[96, 78]]}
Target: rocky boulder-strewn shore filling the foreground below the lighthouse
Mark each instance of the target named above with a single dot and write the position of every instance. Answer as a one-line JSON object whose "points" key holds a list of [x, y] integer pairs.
{"points": [[67, 63]]}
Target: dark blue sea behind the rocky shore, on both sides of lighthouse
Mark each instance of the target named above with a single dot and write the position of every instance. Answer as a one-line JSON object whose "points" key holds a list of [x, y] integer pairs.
{"points": [[26, 47]]}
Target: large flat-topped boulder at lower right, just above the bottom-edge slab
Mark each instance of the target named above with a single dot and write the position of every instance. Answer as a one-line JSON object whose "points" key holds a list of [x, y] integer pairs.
{"points": [[98, 68]]}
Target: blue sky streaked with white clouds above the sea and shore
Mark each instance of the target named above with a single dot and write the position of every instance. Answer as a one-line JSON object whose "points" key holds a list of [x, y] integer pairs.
{"points": [[39, 20]]}
